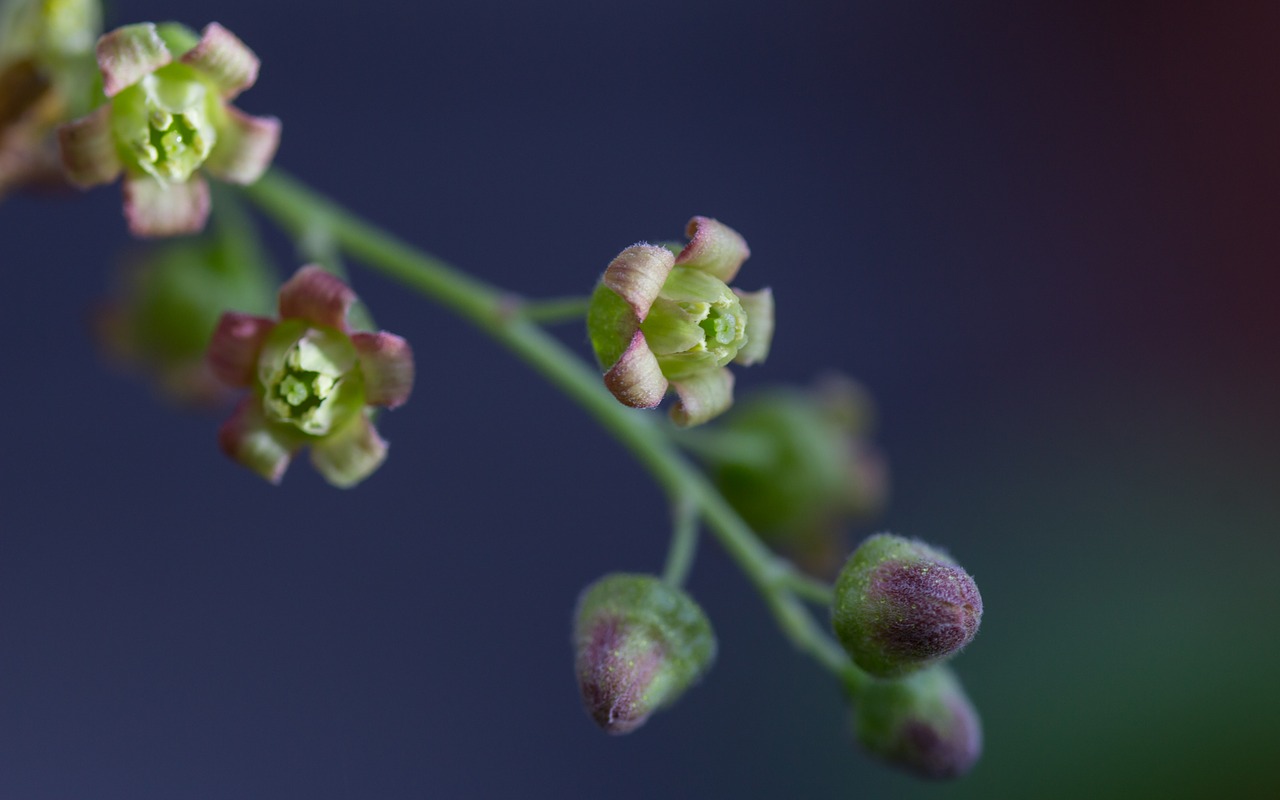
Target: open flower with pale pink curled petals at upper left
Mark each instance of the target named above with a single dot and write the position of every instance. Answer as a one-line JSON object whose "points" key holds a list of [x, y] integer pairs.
{"points": [[167, 120]]}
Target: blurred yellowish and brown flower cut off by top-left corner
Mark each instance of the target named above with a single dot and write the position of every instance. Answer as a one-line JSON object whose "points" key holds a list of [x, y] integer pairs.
{"points": [[47, 76]]}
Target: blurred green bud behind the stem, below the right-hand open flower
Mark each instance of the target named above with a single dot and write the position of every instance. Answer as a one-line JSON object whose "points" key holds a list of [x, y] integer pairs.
{"points": [[799, 467]]}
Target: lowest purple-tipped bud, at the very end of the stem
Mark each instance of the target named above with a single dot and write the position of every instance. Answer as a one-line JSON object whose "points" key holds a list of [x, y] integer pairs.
{"points": [[924, 724]]}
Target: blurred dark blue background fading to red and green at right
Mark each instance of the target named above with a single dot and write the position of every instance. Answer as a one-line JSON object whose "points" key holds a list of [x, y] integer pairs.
{"points": [[1045, 239]]}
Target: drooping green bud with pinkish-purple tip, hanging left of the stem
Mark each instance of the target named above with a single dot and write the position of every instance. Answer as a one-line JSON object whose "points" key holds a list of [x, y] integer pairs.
{"points": [[641, 643]]}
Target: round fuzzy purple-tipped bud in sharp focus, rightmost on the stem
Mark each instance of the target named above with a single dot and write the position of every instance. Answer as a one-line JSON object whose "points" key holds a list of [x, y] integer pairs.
{"points": [[902, 606]]}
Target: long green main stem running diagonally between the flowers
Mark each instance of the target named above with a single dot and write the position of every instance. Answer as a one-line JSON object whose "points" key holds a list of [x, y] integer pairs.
{"points": [[298, 208]]}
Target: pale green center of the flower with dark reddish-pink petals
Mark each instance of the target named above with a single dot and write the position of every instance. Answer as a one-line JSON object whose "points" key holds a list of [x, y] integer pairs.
{"points": [[310, 378]]}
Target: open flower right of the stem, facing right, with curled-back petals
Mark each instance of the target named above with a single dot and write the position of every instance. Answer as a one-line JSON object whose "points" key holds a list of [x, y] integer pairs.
{"points": [[659, 321]]}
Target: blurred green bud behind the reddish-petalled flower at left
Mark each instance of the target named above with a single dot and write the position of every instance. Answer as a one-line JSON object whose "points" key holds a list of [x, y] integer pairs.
{"points": [[167, 305]]}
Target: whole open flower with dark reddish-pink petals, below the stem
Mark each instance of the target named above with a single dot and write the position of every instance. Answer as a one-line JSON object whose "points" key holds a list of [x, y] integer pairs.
{"points": [[312, 382]]}
